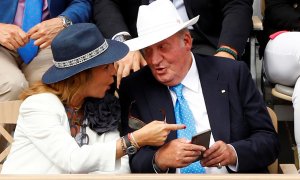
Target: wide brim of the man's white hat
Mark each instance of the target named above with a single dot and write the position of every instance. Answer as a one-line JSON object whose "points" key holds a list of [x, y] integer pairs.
{"points": [[155, 37]]}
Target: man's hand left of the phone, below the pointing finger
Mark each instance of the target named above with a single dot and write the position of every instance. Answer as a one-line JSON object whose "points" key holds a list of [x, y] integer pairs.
{"points": [[177, 153]]}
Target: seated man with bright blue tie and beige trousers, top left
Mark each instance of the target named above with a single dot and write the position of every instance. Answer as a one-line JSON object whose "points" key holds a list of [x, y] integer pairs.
{"points": [[18, 26]]}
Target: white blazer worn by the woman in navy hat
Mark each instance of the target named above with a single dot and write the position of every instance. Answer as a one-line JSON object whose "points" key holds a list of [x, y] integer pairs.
{"points": [[43, 144]]}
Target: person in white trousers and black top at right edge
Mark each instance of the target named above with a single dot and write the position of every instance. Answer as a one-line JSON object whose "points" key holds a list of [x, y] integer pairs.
{"points": [[282, 53]]}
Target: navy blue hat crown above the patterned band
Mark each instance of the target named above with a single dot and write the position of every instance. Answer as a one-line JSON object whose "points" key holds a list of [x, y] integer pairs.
{"points": [[72, 42]]}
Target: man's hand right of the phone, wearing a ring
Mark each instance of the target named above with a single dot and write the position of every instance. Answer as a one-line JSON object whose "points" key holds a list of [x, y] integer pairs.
{"points": [[219, 153]]}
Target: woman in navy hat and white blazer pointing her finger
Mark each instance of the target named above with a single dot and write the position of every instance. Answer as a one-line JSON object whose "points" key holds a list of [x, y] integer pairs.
{"points": [[53, 134]]}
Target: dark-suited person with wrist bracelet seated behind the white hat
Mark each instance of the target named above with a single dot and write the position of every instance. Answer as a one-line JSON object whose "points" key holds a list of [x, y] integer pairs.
{"points": [[222, 30]]}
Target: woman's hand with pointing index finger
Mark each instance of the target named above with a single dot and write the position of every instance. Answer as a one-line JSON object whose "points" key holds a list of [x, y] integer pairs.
{"points": [[155, 133]]}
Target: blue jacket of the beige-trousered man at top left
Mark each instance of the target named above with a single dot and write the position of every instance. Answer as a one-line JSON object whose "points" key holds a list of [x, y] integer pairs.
{"points": [[77, 11]]}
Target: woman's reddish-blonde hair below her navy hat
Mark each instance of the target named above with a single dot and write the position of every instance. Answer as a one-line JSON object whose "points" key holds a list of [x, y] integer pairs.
{"points": [[64, 90]]}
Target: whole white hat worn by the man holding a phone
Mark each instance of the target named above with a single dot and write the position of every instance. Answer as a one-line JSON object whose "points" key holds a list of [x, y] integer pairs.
{"points": [[156, 22]]}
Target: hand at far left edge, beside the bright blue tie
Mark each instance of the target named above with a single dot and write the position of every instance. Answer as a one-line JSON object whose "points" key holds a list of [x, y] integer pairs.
{"points": [[12, 37]]}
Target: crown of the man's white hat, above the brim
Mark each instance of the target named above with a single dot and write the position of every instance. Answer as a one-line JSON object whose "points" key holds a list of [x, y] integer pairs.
{"points": [[156, 16]]}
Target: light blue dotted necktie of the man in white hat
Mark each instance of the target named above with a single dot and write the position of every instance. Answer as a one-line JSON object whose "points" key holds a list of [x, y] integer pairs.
{"points": [[184, 115]]}
